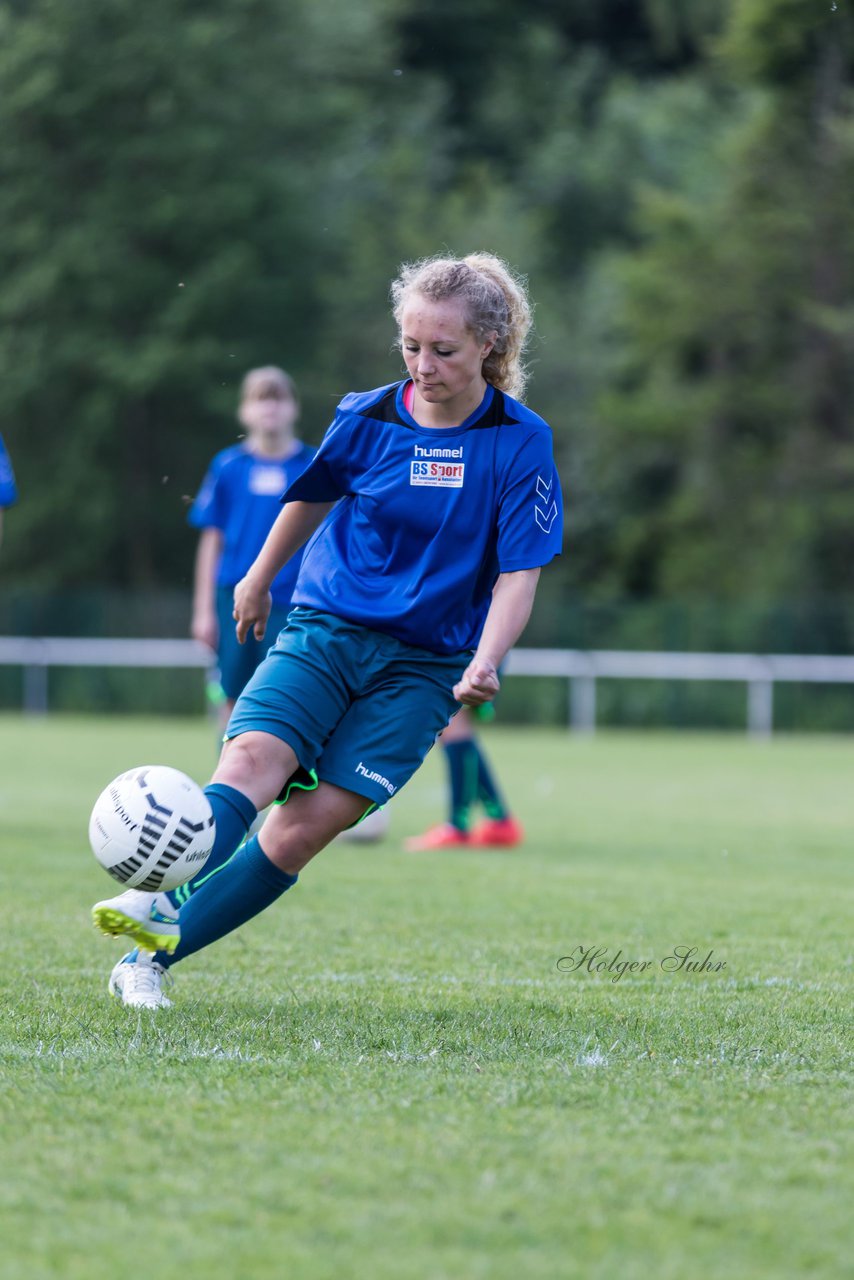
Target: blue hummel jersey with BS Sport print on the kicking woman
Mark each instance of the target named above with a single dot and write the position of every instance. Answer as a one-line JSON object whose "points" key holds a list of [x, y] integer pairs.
{"points": [[430, 516]]}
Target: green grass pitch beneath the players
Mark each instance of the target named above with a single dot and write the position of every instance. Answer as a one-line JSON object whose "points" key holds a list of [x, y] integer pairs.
{"points": [[389, 1076]]}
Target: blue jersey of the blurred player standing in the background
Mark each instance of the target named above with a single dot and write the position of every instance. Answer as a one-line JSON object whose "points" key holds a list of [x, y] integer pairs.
{"points": [[240, 496]]}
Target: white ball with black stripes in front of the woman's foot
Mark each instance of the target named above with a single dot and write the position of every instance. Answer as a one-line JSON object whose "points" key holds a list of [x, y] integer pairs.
{"points": [[152, 829]]}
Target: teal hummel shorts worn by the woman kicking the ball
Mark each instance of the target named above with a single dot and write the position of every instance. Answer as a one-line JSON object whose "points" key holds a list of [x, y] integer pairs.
{"points": [[360, 708]]}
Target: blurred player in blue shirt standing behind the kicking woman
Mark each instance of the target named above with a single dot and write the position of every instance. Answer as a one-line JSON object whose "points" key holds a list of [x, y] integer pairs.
{"points": [[235, 510]]}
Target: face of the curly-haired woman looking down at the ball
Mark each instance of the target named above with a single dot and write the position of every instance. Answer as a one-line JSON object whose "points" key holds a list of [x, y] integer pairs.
{"points": [[444, 358]]}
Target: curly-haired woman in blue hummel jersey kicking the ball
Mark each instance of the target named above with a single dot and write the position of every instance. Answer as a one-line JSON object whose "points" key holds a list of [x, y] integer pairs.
{"points": [[428, 513]]}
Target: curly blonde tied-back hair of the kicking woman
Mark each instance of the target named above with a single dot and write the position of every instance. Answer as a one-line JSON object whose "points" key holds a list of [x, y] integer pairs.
{"points": [[496, 301]]}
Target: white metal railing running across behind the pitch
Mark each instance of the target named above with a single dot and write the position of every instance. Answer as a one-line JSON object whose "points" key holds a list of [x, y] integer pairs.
{"points": [[581, 668]]}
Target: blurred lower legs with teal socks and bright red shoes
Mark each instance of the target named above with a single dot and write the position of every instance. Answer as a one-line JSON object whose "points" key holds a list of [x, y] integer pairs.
{"points": [[472, 785]]}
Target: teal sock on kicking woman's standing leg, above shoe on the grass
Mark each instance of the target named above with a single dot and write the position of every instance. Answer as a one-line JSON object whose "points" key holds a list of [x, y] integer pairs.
{"points": [[243, 889]]}
